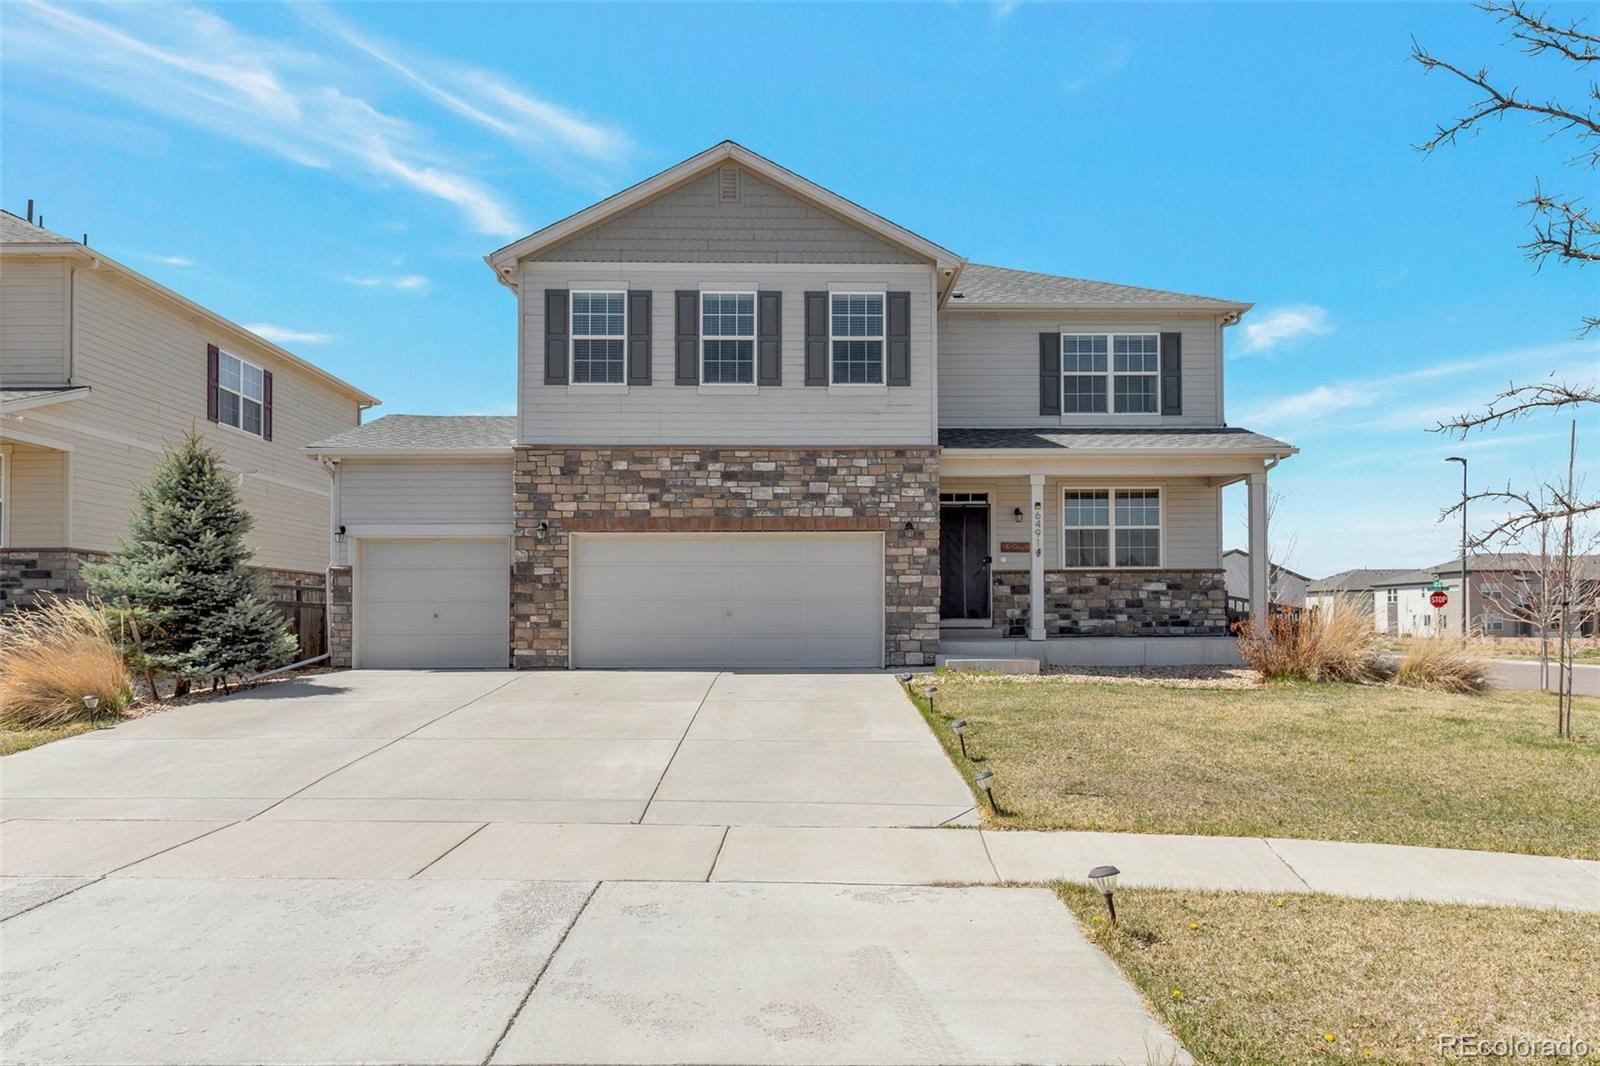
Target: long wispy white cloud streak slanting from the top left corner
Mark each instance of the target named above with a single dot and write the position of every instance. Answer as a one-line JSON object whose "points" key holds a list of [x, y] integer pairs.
{"points": [[276, 97]]}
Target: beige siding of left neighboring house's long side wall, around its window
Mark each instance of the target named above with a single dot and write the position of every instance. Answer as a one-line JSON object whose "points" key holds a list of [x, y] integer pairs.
{"points": [[146, 366]]}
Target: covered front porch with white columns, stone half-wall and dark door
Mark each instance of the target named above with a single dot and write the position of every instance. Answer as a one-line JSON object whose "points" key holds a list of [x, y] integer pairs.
{"points": [[1097, 548]]}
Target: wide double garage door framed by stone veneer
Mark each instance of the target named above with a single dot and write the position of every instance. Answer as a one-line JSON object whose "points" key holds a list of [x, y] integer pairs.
{"points": [[711, 599]]}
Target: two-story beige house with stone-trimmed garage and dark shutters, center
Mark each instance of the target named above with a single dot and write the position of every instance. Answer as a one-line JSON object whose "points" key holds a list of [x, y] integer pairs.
{"points": [[759, 425]]}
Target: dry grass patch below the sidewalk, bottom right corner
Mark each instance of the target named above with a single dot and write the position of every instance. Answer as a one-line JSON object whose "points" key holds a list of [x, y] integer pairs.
{"points": [[1249, 980]]}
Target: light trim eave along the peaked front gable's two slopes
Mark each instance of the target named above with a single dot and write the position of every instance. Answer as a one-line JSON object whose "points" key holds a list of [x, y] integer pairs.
{"points": [[505, 260]]}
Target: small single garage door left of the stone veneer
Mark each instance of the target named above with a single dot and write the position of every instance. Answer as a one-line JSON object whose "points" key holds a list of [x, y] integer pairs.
{"points": [[433, 603]]}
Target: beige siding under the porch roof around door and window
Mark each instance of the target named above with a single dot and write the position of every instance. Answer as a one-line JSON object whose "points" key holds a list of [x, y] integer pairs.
{"points": [[1190, 518]]}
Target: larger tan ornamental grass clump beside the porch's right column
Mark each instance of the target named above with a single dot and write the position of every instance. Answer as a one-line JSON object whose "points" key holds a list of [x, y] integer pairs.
{"points": [[1316, 646]]}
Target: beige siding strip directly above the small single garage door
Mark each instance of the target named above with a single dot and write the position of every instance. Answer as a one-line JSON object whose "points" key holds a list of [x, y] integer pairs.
{"points": [[426, 492]]}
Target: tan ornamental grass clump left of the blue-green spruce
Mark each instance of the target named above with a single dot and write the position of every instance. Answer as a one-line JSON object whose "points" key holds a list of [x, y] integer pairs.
{"points": [[55, 655]]}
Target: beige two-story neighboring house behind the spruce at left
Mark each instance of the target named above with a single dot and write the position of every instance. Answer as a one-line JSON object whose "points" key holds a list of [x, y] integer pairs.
{"points": [[100, 369]]}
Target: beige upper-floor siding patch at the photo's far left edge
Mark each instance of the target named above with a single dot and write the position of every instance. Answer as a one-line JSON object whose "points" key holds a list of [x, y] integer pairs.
{"points": [[33, 321]]}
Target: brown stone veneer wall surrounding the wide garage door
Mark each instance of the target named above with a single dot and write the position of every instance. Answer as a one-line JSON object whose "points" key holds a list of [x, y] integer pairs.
{"points": [[726, 491]]}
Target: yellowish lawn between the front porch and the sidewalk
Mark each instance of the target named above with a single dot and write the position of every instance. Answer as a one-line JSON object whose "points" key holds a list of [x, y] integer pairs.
{"points": [[1338, 763]]}
